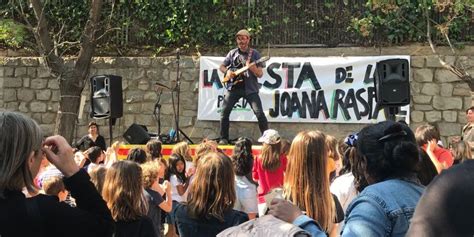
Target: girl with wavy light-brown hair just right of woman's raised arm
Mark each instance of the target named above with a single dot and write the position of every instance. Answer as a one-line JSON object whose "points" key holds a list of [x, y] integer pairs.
{"points": [[124, 194]]}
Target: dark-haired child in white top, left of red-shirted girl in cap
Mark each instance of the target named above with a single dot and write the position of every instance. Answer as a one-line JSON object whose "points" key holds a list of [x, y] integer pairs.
{"points": [[246, 188]]}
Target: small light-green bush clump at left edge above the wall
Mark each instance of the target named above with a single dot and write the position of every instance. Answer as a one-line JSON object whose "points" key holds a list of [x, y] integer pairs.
{"points": [[12, 34]]}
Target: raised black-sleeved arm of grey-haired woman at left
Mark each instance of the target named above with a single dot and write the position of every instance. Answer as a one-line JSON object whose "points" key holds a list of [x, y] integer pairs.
{"points": [[91, 210]]}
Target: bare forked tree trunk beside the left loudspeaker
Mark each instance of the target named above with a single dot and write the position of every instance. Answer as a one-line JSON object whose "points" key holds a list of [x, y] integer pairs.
{"points": [[71, 79]]}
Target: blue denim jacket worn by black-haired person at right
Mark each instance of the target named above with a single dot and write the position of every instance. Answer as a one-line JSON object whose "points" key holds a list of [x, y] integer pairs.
{"points": [[383, 209]]}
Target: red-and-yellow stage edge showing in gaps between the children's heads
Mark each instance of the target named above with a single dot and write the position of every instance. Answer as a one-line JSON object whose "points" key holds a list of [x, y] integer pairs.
{"points": [[166, 150]]}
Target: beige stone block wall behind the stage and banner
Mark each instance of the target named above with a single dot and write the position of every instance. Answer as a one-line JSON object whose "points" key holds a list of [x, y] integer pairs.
{"points": [[27, 86]]}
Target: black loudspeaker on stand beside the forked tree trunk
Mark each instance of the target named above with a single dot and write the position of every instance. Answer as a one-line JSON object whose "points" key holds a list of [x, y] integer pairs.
{"points": [[106, 96]]}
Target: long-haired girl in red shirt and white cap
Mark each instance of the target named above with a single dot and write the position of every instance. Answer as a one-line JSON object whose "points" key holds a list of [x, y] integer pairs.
{"points": [[268, 168]]}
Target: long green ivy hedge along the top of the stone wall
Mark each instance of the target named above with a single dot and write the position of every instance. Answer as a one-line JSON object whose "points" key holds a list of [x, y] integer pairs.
{"points": [[160, 26]]}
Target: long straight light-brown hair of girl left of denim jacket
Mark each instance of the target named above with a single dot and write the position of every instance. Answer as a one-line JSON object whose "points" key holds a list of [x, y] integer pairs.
{"points": [[307, 179]]}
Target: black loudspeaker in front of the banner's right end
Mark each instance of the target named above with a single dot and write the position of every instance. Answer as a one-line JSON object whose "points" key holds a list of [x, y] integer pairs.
{"points": [[392, 82]]}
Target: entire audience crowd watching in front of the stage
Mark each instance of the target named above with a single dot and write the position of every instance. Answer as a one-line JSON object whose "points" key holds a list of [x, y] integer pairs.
{"points": [[368, 184]]}
